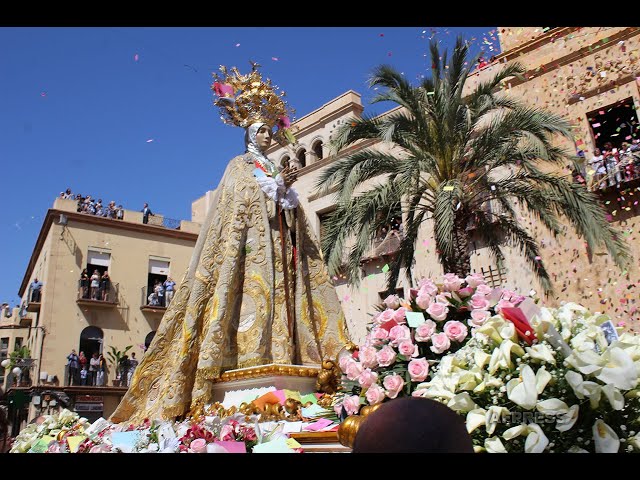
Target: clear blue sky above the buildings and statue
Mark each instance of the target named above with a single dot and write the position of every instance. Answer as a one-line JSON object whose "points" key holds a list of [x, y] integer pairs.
{"points": [[126, 114]]}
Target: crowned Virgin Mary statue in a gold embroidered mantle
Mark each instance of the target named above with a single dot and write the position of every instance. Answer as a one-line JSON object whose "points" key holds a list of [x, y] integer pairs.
{"points": [[256, 291]]}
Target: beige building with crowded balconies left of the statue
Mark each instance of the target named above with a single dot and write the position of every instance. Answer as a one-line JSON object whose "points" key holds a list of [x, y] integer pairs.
{"points": [[72, 314]]}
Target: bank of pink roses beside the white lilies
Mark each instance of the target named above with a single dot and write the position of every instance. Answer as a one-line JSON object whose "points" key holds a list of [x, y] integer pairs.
{"points": [[409, 337]]}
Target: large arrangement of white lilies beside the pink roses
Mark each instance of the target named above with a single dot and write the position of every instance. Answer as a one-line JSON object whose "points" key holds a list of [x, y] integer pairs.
{"points": [[574, 389]]}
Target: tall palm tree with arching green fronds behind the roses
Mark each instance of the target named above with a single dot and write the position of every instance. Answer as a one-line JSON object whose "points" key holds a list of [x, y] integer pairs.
{"points": [[453, 155]]}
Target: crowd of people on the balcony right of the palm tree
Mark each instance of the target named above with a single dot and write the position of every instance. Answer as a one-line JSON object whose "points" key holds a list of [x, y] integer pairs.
{"points": [[611, 166]]}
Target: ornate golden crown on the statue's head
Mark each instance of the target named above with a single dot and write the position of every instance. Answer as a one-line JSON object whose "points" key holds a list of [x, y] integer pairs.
{"points": [[247, 99]]}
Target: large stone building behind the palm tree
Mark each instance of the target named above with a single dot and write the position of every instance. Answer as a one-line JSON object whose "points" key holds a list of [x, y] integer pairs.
{"points": [[580, 73]]}
